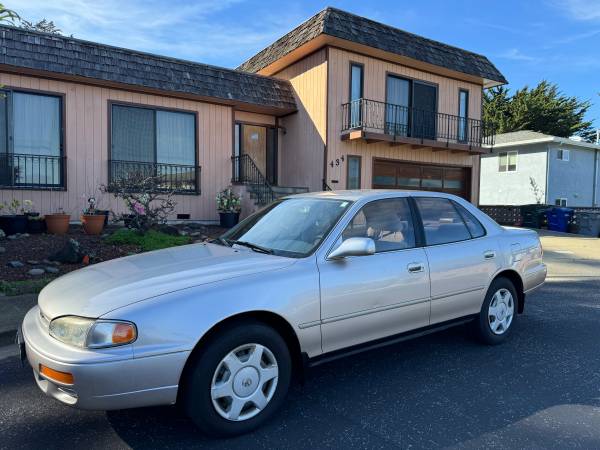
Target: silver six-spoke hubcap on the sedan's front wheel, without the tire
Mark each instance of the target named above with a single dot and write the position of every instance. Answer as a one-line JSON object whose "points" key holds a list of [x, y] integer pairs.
{"points": [[244, 382]]}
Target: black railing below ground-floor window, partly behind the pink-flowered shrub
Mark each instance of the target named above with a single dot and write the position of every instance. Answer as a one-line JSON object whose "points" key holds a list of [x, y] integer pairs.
{"points": [[178, 178]]}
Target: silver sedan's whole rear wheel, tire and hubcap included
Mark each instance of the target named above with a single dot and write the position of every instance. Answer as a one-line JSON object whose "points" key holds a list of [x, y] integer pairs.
{"points": [[494, 329]]}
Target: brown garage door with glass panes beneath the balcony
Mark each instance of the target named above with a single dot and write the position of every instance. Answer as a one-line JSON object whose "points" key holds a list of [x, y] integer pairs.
{"points": [[427, 177]]}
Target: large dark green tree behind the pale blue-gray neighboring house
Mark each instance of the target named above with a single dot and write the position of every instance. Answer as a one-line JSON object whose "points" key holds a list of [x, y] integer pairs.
{"points": [[544, 109]]}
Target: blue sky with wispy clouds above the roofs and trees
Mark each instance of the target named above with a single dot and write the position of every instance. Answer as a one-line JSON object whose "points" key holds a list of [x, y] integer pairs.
{"points": [[557, 40]]}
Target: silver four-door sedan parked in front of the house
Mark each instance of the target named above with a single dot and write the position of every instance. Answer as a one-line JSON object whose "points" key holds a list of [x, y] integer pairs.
{"points": [[223, 327]]}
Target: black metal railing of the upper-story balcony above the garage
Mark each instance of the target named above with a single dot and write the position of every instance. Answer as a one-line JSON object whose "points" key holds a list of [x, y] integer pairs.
{"points": [[402, 121]]}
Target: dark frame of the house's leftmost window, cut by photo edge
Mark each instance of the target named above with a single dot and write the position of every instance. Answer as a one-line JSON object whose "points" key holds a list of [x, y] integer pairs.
{"points": [[61, 96]]}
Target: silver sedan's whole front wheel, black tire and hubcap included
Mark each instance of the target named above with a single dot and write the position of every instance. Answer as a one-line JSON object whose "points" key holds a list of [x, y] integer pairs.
{"points": [[225, 375]]}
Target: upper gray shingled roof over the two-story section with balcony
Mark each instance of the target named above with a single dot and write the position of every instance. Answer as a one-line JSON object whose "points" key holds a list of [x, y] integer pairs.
{"points": [[344, 25]]}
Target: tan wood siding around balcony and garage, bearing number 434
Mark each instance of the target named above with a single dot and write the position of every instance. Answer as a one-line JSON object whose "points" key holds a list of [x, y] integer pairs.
{"points": [[374, 88]]}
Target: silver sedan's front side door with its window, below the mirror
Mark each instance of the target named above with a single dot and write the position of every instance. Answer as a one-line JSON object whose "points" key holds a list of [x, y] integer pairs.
{"points": [[369, 297]]}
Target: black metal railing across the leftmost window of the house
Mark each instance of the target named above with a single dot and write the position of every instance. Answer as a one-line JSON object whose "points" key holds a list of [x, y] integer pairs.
{"points": [[22, 171]]}
